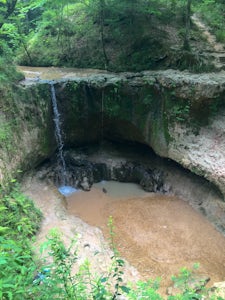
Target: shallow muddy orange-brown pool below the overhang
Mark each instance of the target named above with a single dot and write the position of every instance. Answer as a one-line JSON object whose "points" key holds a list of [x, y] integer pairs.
{"points": [[157, 234]]}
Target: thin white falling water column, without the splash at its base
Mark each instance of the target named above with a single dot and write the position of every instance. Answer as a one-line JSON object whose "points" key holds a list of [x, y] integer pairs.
{"points": [[58, 135]]}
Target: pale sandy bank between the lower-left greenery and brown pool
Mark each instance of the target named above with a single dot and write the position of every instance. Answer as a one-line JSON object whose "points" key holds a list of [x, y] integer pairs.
{"points": [[90, 243]]}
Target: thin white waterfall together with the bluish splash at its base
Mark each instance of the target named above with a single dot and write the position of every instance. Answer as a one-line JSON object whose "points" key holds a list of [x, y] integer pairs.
{"points": [[64, 188]]}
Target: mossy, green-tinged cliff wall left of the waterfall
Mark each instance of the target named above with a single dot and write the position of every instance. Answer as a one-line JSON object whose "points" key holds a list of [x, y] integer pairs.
{"points": [[25, 135]]}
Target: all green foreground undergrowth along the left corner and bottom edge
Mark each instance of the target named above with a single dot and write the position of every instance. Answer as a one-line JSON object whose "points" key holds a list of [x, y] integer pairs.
{"points": [[57, 275]]}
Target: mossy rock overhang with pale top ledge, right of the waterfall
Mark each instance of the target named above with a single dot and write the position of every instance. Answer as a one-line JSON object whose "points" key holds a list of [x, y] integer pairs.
{"points": [[157, 108]]}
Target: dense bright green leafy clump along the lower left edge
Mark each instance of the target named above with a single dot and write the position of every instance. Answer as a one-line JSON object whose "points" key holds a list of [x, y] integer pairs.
{"points": [[19, 221]]}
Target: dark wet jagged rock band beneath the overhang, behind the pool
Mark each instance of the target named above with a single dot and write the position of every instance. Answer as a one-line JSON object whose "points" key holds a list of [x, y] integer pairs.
{"points": [[81, 173]]}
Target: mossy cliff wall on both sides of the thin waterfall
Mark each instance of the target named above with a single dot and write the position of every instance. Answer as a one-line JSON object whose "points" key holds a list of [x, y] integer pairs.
{"points": [[179, 115]]}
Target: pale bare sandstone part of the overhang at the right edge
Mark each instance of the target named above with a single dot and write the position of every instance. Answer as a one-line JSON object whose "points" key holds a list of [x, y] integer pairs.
{"points": [[203, 154]]}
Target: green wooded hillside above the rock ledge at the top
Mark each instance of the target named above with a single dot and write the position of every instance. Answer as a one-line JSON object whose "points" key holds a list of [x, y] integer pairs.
{"points": [[111, 34]]}
